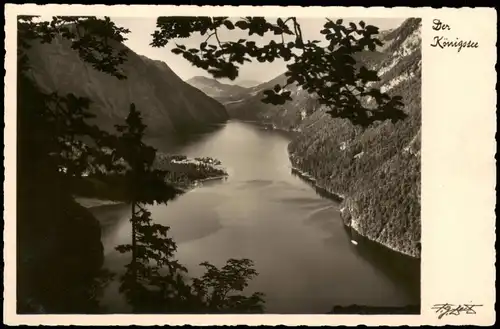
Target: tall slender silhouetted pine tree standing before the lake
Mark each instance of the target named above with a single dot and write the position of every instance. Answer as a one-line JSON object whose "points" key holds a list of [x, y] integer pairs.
{"points": [[151, 250]]}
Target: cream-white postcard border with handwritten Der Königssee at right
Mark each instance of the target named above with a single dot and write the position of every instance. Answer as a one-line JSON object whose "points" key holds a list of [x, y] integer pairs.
{"points": [[458, 165]]}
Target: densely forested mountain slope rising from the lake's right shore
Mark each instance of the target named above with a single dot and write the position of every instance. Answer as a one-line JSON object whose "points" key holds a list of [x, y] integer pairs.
{"points": [[376, 170]]}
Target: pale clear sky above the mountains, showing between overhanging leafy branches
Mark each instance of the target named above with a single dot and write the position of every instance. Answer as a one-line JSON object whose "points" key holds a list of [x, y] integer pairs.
{"points": [[139, 40]]}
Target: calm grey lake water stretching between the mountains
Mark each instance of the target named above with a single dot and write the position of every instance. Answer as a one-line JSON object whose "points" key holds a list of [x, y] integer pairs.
{"points": [[296, 238]]}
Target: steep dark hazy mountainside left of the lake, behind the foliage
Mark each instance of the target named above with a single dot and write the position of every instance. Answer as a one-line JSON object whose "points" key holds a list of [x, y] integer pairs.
{"points": [[167, 103]]}
